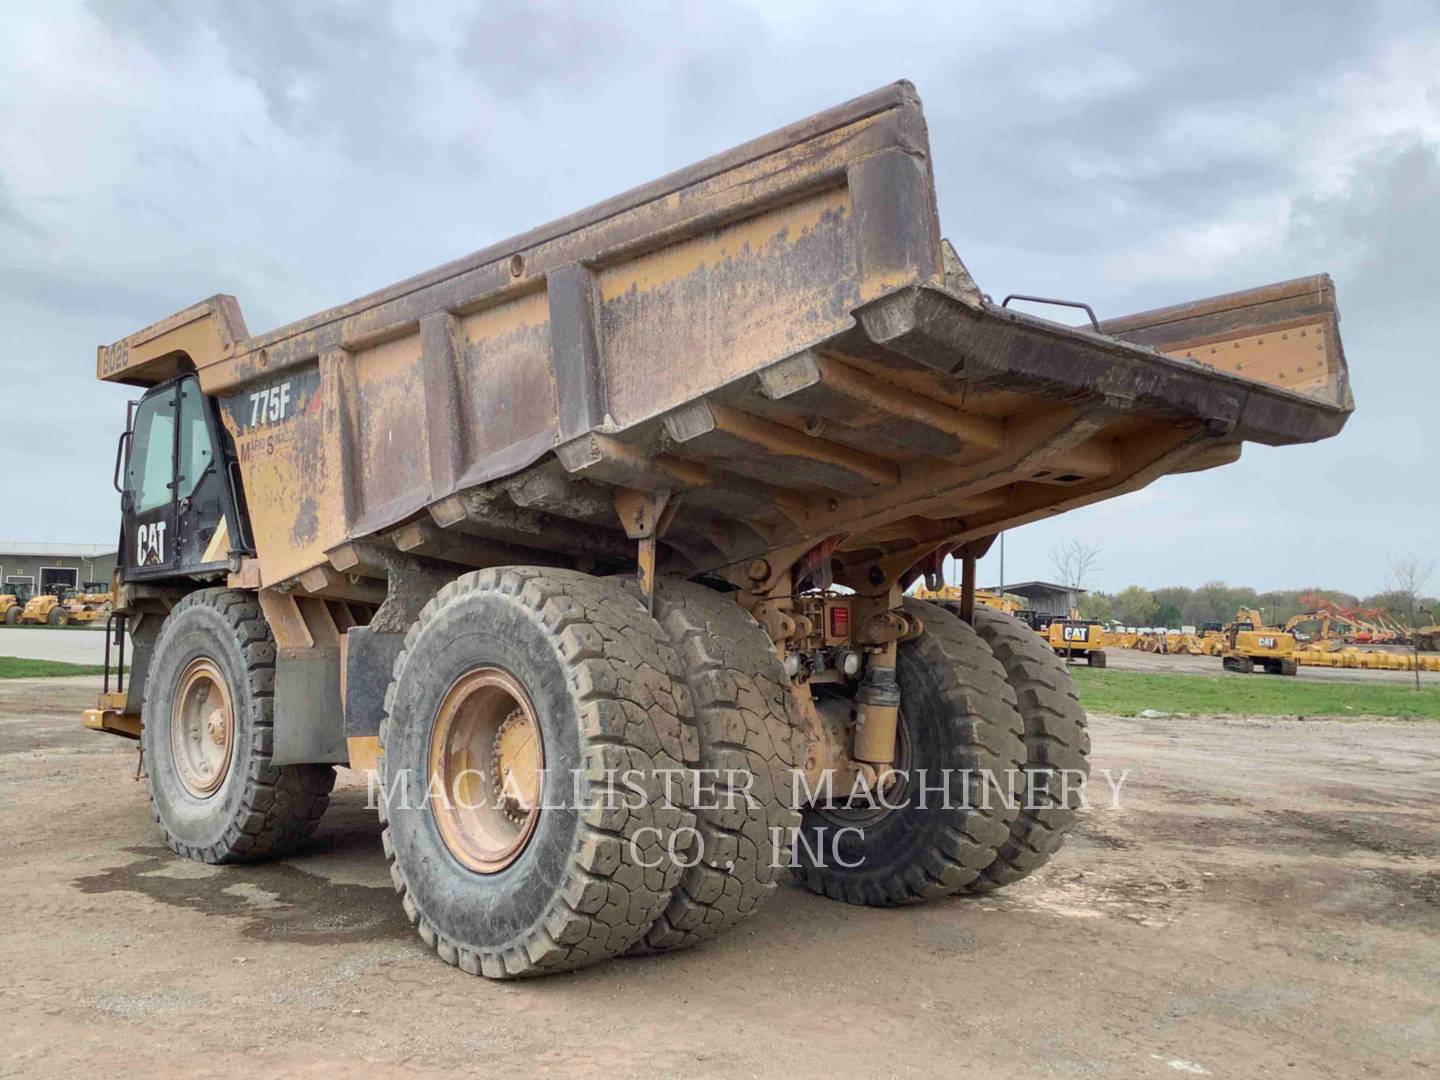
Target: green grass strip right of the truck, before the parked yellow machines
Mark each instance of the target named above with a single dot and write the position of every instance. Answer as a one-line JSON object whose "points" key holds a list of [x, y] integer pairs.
{"points": [[1128, 693]]}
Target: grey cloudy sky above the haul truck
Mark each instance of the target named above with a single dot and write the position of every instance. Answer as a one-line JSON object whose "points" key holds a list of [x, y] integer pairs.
{"points": [[1130, 155]]}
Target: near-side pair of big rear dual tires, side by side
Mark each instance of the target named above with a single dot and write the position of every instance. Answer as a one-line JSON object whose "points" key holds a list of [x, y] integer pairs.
{"points": [[693, 692]]}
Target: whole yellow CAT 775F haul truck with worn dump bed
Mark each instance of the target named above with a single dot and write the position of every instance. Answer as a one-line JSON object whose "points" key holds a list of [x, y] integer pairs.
{"points": [[640, 493]]}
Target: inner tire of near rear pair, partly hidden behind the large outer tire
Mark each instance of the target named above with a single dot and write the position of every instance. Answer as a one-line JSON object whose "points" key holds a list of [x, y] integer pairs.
{"points": [[750, 748]]}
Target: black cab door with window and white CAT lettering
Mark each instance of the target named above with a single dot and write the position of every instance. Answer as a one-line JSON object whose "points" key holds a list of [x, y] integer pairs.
{"points": [[148, 500]]}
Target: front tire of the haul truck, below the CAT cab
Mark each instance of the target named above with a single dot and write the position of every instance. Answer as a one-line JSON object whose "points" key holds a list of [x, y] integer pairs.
{"points": [[258, 810]]}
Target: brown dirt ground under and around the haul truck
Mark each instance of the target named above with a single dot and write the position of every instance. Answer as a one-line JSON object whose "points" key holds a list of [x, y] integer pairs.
{"points": [[1266, 902]]}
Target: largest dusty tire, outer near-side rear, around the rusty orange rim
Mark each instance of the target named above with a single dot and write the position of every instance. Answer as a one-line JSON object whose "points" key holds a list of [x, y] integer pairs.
{"points": [[607, 695]]}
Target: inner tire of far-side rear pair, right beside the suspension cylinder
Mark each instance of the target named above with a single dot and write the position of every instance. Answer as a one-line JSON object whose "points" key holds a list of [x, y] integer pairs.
{"points": [[958, 722]]}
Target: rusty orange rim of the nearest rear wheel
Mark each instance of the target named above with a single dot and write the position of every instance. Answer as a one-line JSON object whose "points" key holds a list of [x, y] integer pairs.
{"points": [[487, 767]]}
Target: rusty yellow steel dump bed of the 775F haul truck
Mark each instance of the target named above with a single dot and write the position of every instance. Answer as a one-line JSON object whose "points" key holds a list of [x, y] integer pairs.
{"points": [[774, 341]]}
